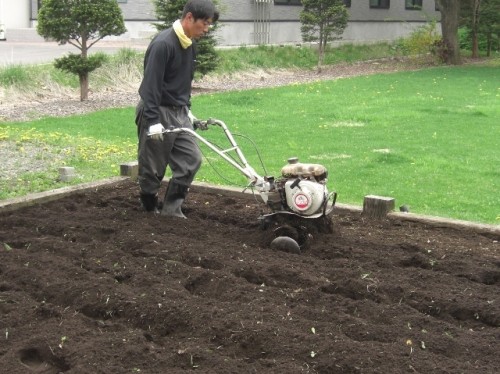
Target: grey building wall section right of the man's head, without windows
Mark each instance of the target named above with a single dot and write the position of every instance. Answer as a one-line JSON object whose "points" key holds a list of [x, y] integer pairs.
{"points": [[365, 24]]}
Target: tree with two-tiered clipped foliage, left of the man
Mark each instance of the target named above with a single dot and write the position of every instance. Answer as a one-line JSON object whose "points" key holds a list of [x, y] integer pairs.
{"points": [[81, 23]]}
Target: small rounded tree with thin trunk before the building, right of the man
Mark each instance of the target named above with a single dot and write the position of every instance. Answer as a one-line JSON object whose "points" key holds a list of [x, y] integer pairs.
{"points": [[323, 21]]}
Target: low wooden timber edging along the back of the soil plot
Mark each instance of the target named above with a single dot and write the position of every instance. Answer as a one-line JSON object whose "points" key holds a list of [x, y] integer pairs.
{"points": [[43, 197]]}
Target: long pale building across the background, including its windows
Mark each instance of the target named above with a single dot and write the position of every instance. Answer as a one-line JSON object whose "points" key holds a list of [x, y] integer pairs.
{"points": [[246, 22]]}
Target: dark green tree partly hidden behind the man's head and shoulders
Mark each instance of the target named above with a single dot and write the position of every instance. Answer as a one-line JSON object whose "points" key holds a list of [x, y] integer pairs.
{"points": [[168, 11]]}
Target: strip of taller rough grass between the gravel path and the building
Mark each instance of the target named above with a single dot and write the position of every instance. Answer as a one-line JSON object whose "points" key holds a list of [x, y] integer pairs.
{"points": [[127, 63]]}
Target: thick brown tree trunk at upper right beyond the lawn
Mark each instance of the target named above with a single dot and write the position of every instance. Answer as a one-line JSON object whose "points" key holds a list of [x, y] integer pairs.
{"points": [[450, 10]]}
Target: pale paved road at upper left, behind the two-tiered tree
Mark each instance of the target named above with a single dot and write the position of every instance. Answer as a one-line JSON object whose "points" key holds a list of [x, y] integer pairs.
{"points": [[14, 53]]}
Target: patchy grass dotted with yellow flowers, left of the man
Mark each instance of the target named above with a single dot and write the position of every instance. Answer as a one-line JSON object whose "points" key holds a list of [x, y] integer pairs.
{"points": [[95, 152]]}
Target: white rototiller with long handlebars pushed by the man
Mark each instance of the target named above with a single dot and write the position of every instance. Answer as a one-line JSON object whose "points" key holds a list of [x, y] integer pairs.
{"points": [[296, 201]]}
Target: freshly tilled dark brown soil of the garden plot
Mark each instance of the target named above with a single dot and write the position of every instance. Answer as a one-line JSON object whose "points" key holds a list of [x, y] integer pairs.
{"points": [[91, 284]]}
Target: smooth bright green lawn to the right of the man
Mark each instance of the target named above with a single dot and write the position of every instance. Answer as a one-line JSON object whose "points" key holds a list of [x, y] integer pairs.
{"points": [[429, 138]]}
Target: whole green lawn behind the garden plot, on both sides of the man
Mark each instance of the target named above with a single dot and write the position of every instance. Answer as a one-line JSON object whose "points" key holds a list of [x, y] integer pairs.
{"points": [[428, 138]]}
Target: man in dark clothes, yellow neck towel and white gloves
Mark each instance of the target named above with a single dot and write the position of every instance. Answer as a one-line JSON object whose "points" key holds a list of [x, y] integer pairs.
{"points": [[165, 93]]}
